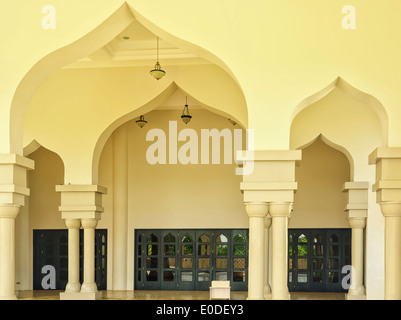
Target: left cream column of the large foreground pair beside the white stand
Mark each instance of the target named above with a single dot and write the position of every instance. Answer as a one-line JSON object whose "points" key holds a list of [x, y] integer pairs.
{"points": [[257, 212]]}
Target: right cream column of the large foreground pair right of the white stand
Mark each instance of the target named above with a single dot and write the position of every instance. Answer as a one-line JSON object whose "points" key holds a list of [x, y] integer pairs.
{"points": [[280, 213]]}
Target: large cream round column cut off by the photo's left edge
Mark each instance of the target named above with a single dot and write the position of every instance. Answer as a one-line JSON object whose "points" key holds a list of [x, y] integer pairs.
{"points": [[8, 213]]}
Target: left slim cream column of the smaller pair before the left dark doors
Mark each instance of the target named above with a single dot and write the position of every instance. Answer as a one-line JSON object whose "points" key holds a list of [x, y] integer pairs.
{"points": [[73, 284]]}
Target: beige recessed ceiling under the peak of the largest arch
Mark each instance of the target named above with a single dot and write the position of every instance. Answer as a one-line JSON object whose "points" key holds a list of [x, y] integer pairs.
{"points": [[136, 46]]}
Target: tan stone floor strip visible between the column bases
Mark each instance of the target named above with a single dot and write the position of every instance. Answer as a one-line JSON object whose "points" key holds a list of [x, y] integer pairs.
{"points": [[171, 295]]}
